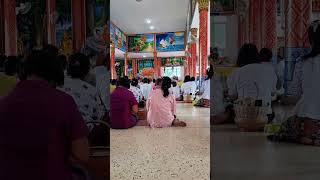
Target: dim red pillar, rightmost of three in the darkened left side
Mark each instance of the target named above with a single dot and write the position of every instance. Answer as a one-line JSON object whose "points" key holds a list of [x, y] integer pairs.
{"points": [[78, 23]]}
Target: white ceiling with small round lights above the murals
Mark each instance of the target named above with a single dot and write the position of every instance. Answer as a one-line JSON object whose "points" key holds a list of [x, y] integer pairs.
{"points": [[166, 15]]}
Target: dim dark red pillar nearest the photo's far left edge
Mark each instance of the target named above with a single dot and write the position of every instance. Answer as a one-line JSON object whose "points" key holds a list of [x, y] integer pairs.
{"points": [[10, 27]]}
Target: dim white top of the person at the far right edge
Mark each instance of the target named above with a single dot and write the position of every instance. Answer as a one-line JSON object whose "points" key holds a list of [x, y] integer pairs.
{"points": [[307, 73]]}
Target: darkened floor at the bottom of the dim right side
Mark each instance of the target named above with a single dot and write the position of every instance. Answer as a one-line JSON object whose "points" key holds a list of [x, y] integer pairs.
{"points": [[250, 156]]}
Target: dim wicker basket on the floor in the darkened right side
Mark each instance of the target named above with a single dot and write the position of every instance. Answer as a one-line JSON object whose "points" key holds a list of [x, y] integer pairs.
{"points": [[250, 118]]}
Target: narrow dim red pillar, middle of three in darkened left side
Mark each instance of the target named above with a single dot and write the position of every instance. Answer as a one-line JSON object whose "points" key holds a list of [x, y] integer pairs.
{"points": [[51, 24]]}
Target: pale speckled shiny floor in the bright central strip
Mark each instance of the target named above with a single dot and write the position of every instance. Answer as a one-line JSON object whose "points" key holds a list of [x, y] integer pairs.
{"points": [[164, 154]]}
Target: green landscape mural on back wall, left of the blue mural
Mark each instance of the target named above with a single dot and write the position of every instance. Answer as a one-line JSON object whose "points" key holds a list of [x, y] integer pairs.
{"points": [[141, 43]]}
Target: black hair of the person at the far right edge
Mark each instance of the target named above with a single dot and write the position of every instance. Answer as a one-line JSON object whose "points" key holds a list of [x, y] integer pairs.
{"points": [[314, 39]]}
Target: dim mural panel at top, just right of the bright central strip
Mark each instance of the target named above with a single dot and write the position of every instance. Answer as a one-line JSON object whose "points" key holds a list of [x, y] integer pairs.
{"points": [[223, 6]]}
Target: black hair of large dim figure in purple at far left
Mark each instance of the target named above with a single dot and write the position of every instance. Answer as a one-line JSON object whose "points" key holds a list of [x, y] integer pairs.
{"points": [[43, 64]]}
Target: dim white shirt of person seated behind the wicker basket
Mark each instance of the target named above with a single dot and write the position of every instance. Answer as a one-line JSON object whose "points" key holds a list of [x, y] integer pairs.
{"points": [[254, 80]]}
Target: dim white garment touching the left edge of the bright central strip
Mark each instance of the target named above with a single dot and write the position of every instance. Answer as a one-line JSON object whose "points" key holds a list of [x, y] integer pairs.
{"points": [[103, 84]]}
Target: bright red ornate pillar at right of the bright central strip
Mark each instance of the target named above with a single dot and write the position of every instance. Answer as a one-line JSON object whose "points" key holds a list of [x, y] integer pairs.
{"points": [[203, 11]]}
